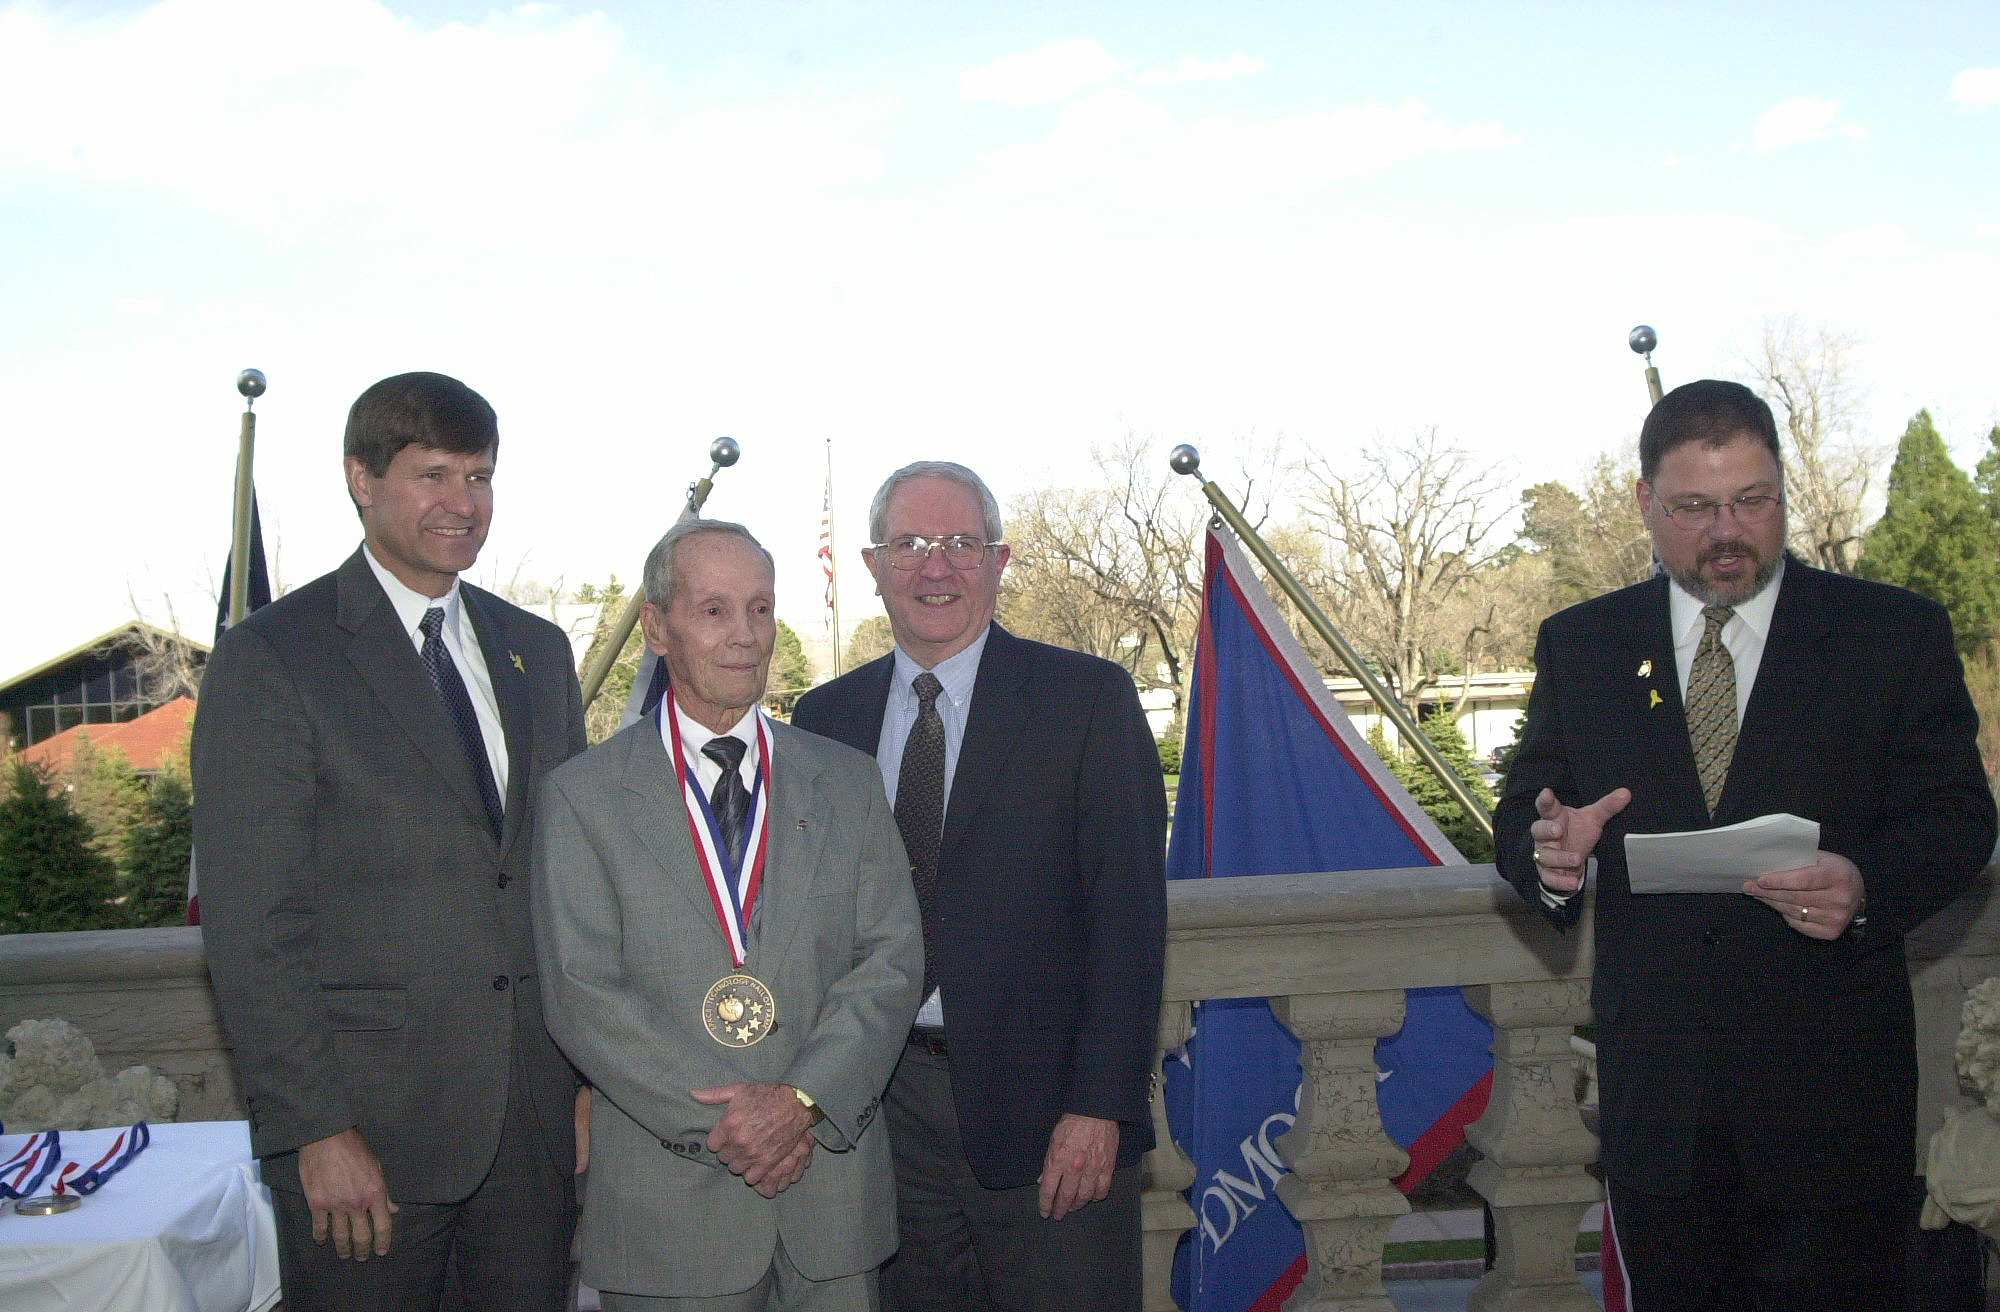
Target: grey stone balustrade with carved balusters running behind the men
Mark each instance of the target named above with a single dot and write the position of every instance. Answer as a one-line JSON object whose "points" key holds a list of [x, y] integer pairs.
{"points": [[1333, 953]]}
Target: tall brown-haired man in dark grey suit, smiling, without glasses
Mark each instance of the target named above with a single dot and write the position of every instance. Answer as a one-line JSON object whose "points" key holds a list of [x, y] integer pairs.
{"points": [[365, 761]]}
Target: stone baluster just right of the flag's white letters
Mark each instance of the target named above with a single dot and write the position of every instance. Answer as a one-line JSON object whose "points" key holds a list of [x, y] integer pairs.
{"points": [[1339, 1155]]}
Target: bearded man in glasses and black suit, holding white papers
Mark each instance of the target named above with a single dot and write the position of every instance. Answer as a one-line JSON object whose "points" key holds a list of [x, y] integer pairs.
{"points": [[1755, 1051]]}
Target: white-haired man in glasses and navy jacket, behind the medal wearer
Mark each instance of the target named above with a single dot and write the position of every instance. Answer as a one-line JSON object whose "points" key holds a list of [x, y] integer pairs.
{"points": [[1029, 795]]}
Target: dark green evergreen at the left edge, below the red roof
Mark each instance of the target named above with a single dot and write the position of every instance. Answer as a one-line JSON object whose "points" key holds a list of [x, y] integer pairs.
{"points": [[51, 879]]}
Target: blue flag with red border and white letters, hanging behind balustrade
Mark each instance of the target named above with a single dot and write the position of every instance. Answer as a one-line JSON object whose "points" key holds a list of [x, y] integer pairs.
{"points": [[1275, 779]]}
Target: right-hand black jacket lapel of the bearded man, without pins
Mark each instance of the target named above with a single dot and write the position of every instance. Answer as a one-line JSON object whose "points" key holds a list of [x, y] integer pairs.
{"points": [[1787, 685]]}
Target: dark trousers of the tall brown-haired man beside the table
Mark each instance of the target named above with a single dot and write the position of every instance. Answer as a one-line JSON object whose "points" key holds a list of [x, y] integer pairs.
{"points": [[507, 1245]]}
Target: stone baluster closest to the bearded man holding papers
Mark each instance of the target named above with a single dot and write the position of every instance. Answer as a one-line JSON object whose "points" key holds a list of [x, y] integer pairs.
{"points": [[1535, 1149]]}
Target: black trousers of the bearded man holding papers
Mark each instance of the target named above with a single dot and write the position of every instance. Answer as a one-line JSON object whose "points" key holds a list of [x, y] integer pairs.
{"points": [[1723, 1249]]}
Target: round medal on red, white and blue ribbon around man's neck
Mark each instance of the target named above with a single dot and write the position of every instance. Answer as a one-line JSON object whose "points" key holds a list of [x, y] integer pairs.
{"points": [[739, 1009]]}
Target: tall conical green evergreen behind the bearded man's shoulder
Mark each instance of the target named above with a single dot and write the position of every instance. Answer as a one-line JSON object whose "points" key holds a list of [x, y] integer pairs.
{"points": [[1937, 537]]}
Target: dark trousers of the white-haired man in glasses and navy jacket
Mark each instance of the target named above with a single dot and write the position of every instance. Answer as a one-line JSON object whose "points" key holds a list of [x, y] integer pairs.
{"points": [[971, 1249]]}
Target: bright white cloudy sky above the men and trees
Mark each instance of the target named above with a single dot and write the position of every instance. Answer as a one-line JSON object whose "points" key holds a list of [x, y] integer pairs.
{"points": [[999, 233]]}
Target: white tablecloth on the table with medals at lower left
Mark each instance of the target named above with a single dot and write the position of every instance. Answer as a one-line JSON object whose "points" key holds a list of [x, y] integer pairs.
{"points": [[185, 1229]]}
